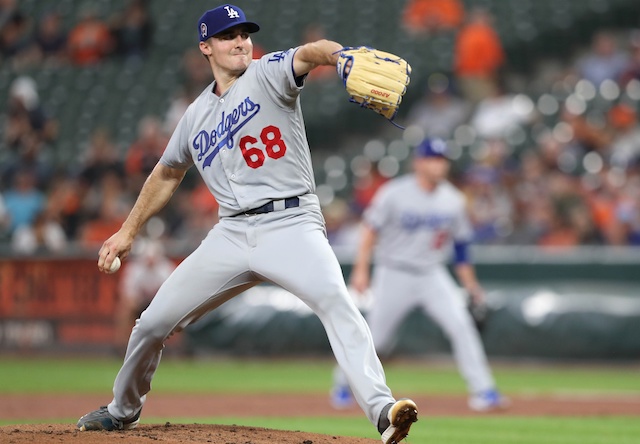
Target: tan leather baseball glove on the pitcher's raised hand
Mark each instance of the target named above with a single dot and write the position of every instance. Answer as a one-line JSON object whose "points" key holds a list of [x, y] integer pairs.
{"points": [[376, 80]]}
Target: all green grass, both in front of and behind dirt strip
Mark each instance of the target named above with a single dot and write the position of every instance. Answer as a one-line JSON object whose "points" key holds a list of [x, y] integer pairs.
{"points": [[38, 375]]}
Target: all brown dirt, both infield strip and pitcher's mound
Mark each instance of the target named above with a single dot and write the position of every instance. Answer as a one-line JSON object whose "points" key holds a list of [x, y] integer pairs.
{"points": [[53, 407]]}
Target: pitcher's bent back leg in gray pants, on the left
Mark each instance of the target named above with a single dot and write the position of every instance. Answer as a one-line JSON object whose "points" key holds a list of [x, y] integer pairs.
{"points": [[203, 281]]}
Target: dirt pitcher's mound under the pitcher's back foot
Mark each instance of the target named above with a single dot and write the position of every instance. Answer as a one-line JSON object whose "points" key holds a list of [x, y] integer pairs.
{"points": [[168, 433]]}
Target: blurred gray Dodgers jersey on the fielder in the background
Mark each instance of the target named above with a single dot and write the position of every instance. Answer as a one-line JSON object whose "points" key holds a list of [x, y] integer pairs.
{"points": [[416, 227]]}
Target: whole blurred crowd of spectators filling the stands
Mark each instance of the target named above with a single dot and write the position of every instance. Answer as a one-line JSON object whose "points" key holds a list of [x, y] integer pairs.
{"points": [[557, 166]]}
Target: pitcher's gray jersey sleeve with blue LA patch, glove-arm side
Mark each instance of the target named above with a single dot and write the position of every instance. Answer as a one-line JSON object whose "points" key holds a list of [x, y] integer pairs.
{"points": [[276, 76]]}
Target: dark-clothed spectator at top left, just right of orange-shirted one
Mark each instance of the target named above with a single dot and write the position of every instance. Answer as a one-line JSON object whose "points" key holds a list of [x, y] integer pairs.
{"points": [[133, 30]]}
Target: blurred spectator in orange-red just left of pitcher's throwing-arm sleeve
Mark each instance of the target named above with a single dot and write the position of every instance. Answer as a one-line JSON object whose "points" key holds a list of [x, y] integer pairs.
{"points": [[145, 151]]}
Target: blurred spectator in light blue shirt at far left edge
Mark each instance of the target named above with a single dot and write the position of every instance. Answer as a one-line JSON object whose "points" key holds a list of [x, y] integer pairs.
{"points": [[23, 200]]}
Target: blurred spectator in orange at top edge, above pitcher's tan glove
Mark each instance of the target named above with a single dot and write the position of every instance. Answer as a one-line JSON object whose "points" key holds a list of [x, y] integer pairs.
{"points": [[432, 16]]}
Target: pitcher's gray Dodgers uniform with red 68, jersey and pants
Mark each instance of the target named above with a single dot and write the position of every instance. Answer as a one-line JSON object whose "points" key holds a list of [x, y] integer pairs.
{"points": [[250, 147]]}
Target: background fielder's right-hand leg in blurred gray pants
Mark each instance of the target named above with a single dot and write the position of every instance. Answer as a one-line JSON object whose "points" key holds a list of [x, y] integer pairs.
{"points": [[447, 308]]}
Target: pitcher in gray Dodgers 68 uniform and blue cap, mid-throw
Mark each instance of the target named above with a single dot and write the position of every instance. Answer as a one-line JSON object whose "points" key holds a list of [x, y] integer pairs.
{"points": [[245, 135]]}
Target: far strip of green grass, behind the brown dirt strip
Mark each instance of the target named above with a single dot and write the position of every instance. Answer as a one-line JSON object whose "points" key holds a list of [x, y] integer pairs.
{"points": [[300, 376]]}
